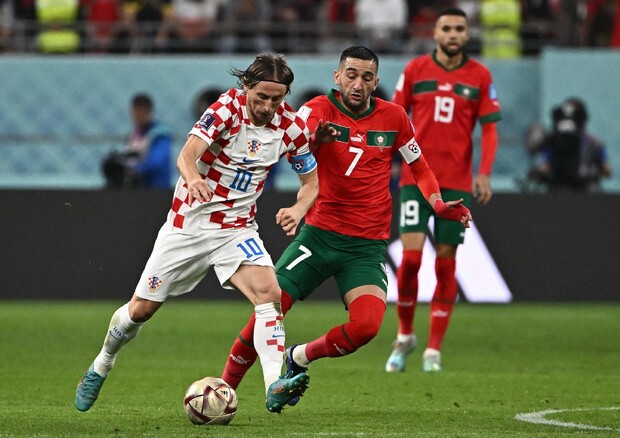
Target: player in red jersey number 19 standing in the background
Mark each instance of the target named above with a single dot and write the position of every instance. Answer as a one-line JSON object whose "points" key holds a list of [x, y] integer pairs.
{"points": [[446, 92]]}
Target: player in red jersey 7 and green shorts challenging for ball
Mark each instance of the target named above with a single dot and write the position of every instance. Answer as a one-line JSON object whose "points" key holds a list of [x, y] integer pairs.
{"points": [[346, 231]]}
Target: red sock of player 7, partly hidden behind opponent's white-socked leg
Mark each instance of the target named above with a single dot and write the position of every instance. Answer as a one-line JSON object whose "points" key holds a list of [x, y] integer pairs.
{"points": [[242, 354]]}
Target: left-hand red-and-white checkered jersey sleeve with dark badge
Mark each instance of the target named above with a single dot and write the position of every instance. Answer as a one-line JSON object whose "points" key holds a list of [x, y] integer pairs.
{"points": [[217, 118]]}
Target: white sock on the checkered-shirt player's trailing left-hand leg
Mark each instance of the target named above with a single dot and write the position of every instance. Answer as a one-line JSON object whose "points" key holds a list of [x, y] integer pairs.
{"points": [[122, 329]]}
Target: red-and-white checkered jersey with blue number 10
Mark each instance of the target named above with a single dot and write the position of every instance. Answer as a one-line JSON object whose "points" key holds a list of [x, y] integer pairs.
{"points": [[237, 162]]}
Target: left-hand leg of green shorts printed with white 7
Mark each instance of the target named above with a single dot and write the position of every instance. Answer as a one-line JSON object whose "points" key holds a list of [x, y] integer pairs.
{"points": [[306, 263]]}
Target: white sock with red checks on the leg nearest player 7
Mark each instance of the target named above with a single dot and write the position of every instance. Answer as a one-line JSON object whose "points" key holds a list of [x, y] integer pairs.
{"points": [[269, 337]]}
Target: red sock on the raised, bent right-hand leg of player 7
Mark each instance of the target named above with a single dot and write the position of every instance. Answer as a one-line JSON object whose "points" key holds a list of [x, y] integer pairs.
{"points": [[365, 317]]}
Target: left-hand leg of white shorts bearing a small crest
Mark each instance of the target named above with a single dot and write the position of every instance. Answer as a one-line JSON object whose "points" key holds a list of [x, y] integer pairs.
{"points": [[176, 265]]}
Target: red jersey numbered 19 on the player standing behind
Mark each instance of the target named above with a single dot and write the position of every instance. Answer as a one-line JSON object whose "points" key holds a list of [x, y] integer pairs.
{"points": [[444, 106]]}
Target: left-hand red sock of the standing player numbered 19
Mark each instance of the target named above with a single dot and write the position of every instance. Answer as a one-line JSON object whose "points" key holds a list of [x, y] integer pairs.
{"points": [[407, 278]]}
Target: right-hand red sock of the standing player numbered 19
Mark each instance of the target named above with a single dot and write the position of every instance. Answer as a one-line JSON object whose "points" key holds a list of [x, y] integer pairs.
{"points": [[443, 301]]}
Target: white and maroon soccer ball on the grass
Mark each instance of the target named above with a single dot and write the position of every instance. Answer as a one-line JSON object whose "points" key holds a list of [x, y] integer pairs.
{"points": [[210, 401]]}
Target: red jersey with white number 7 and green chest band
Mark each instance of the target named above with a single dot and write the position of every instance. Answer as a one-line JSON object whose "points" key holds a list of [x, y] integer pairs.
{"points": [[354, 171]]}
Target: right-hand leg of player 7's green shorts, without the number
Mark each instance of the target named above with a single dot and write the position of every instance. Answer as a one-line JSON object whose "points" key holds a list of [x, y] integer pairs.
{"points": [[363, 266]]}
